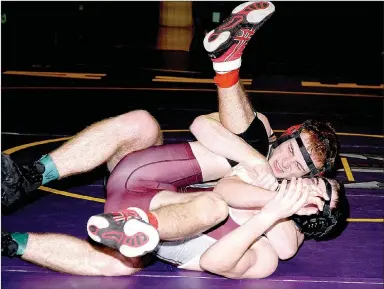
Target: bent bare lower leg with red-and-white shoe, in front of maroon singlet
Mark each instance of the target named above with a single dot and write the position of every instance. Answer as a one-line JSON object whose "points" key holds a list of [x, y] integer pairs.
{"points": [[168, 216]]}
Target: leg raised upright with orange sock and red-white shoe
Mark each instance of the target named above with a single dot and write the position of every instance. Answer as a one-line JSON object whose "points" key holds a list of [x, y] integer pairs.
{"points": [[225, 46]]}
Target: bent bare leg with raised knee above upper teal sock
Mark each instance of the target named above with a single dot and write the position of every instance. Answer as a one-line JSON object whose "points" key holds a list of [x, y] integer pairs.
{"points": [[107, 140]]}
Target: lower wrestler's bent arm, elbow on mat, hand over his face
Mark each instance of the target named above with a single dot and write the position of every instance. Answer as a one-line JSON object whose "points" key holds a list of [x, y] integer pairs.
{"points": [[240, 259]]}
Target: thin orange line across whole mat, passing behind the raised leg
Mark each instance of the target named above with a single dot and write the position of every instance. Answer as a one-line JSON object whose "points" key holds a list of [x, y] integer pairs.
{"points": [[185, 89]]}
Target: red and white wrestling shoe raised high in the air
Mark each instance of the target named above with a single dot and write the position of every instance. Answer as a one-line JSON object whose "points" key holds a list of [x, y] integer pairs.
{"points": [[226, 43]]}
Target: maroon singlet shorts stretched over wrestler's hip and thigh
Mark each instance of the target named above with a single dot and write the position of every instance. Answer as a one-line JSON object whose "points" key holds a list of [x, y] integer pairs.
{"points": [[141, 175]]}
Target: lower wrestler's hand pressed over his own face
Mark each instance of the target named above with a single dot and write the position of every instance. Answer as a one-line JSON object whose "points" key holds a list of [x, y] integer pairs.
{"points": [[289, 199]]}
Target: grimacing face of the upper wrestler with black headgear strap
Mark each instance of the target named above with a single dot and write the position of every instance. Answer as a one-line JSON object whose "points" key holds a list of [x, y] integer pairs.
{"points": [[287, 160]]}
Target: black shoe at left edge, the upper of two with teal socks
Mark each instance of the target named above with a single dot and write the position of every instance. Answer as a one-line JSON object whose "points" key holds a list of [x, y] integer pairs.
{"points": [[17, 182]]}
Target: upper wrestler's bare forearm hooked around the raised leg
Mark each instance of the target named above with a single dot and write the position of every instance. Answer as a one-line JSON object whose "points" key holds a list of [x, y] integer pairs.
{"points": [[214, 136]]}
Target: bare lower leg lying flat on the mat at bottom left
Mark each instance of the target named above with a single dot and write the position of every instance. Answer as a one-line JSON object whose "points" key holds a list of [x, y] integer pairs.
{"points": [[71, 255]]}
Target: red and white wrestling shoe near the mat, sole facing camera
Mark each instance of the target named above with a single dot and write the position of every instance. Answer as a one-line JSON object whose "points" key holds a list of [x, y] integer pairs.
{"points": [[127, 231]]}
